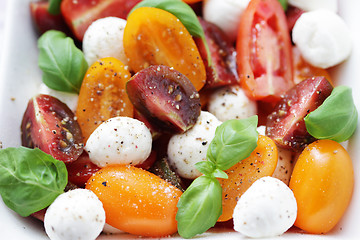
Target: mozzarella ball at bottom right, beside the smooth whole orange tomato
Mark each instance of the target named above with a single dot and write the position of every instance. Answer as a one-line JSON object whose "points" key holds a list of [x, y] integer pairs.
{"points": [[267, 209]]}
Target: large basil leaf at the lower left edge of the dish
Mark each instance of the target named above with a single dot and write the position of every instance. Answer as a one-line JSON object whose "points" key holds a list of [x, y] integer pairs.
{"points": [[30, 179]]}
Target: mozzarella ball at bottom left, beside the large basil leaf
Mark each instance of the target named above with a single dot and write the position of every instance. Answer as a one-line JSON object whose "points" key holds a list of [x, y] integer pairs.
{"points": [[76, 214]]}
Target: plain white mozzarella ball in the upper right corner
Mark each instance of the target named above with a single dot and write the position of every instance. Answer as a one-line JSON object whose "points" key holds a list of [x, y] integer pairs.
{"points": [[323, 38]]}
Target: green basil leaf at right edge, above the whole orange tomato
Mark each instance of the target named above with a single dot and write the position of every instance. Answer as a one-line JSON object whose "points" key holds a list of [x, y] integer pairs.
{"points": [[336, 118]]}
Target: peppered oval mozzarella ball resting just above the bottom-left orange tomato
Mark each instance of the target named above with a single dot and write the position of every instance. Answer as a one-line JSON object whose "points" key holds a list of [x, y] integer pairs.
{"points": [[119, 140]]}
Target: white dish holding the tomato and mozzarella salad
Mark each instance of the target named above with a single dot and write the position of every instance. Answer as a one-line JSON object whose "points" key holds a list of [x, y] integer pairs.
{"points": [[20, 79]]}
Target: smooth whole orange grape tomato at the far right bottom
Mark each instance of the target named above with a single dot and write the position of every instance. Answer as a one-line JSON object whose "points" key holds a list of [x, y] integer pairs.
{"points": [[322, 182]]}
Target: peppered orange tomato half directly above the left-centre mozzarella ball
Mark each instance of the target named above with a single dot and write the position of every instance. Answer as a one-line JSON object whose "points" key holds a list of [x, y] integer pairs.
{"points": [[103, 95]]}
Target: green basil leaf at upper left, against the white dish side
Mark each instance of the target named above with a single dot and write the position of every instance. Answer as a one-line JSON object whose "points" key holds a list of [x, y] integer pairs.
{"points": [[62, 63]]}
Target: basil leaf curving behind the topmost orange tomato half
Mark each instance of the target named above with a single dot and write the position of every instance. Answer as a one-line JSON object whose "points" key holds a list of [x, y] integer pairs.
{"points": [[184, 13]]}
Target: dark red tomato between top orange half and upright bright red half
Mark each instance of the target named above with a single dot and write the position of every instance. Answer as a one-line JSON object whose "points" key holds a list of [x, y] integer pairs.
{"points": [[223, 70]]}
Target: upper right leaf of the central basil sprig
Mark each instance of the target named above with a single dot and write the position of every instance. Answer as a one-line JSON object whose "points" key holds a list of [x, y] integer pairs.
{"points": [[234, 141]]}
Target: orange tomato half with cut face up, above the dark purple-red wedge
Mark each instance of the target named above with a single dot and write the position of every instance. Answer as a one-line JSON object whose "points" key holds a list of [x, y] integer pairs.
{"points": [[156, 37]]}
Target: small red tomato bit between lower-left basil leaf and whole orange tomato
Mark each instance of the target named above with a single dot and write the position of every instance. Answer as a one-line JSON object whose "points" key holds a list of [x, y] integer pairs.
{"points": [[81, 170]]}
